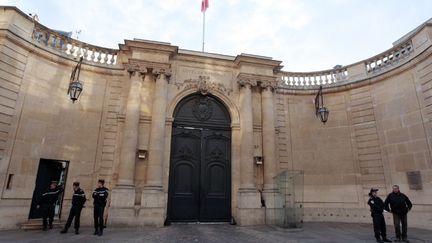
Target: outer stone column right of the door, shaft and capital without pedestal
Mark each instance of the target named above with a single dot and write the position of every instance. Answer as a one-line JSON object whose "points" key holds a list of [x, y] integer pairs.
{"points": [[268, 135]]}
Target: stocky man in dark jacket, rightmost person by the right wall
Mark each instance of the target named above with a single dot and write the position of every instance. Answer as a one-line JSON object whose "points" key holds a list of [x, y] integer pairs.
{"points": [[399, 206]]}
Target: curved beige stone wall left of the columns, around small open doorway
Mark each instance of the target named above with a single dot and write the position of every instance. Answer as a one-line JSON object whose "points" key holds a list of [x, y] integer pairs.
{"points": [[38, 121]]}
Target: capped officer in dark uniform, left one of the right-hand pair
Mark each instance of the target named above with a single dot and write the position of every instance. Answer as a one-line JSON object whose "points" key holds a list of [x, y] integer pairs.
{"points": [[377, 209]]}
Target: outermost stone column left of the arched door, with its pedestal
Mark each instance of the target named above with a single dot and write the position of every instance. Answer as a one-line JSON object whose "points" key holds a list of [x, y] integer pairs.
{"points": [[124, 193]]}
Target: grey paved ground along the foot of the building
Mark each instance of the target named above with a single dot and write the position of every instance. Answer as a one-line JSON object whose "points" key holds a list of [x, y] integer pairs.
{"points": [[312, 232]]}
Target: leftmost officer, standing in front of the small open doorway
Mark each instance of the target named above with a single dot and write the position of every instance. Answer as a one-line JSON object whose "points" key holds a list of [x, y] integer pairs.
{"points": [[47, 203]]}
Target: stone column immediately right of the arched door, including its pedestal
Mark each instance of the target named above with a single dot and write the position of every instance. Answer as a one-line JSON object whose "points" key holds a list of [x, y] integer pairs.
{"points": [[249, 200]]}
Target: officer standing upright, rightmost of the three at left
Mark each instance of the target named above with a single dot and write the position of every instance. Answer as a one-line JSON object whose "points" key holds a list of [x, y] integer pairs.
{"points": [[100, 196]]}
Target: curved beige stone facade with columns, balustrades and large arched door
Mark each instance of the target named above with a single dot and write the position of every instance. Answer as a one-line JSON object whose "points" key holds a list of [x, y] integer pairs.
{"points": [[177, 134]]}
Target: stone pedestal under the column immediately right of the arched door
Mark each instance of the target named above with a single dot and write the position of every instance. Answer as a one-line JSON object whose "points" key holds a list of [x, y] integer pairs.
{"points": [[249, 210]]}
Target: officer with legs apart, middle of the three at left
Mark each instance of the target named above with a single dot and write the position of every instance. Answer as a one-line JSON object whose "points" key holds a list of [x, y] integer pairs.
{"points": [[78, 200]]}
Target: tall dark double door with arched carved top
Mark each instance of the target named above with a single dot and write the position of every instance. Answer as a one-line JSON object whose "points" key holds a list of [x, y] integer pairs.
{"points": [[200, 162]]}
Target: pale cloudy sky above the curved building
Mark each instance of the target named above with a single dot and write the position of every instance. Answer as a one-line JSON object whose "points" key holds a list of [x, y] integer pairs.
{"points": [[307, 35]]}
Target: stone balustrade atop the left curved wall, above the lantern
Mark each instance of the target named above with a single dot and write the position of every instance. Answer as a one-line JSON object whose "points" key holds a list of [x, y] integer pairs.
{"points": [[73, 48]]}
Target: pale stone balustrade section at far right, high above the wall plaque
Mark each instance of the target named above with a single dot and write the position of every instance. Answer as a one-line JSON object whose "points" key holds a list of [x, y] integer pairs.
{"points": [[389, 58]]}
